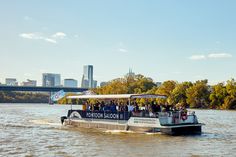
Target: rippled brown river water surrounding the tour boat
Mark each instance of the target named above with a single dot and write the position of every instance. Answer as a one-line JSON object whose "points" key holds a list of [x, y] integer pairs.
{"points": [[35, 130]]}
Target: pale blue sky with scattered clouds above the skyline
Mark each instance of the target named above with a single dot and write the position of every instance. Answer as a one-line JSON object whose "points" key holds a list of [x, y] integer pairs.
{"points": [[182, 40]]}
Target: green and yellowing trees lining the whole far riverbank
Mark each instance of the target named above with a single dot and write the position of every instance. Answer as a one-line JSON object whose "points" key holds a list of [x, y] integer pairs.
{"points": [[188, 94]]}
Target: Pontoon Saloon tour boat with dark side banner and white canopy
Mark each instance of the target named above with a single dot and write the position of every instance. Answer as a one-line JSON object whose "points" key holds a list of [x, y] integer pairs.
{"points": [[140, 120]]}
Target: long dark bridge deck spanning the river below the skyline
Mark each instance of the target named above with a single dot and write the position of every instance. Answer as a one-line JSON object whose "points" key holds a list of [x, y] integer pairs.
{"points": [[41, 89]]}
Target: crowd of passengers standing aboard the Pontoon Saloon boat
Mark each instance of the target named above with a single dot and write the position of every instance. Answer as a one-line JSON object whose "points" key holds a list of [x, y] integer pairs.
{"points": [[113, 106]]}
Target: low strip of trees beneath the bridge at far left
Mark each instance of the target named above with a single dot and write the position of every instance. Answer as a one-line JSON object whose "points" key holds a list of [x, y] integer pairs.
{"points": [[23, 97]]}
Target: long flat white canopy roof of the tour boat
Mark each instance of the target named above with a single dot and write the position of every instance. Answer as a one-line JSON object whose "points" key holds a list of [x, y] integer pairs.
{"points": [[116, 96]]}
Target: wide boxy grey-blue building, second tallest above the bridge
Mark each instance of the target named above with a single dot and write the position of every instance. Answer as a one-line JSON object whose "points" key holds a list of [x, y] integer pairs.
{"points": [[51, 80]]}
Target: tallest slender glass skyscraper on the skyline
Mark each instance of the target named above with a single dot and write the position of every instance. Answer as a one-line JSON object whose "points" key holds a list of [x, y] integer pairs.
{"points": [[87, 79]]}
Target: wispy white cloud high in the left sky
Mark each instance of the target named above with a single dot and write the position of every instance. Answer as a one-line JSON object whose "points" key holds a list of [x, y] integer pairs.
{"points": [[39, 36]]}
